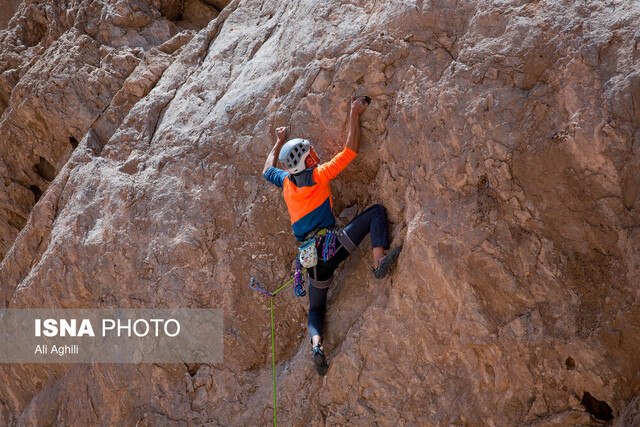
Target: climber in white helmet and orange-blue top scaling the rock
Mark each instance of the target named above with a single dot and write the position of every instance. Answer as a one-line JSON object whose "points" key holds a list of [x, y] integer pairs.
{"points": [[305, 185]]}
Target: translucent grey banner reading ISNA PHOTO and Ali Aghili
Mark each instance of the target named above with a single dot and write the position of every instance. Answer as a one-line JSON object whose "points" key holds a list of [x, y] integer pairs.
{"points": [[111, 335]]}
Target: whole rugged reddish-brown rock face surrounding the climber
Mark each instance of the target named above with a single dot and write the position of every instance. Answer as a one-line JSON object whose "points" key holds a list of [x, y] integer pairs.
{"points": [[503, 138]]}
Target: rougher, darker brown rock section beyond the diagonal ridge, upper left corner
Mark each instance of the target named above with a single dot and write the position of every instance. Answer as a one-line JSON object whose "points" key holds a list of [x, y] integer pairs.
{"points": [[68, 66]]}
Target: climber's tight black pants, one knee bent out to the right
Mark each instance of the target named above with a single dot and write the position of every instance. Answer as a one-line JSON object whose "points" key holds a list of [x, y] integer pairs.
{"points": [[373, 221]]}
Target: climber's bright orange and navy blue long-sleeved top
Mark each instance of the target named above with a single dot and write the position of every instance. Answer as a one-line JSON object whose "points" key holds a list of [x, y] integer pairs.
{"points": [[308, 195]]}
